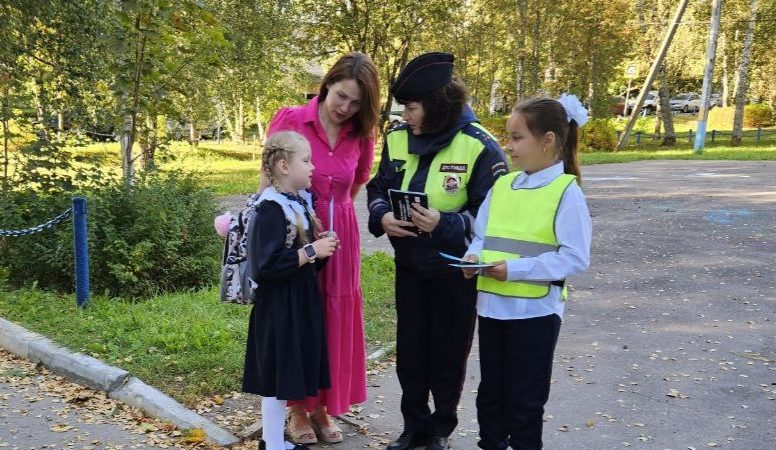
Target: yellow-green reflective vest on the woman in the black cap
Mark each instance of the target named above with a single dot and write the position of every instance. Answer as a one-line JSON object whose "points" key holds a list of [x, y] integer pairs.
{"points": [[450, 169]]}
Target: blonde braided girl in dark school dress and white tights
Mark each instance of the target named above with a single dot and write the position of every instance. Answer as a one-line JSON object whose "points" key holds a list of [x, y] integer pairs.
{"points": [[286, 355]]}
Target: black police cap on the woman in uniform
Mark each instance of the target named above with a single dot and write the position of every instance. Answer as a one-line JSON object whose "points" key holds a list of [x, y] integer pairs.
{"points": [[422, 76]]}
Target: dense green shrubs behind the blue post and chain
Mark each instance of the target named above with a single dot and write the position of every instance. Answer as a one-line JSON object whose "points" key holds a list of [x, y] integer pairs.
{"points": [[156, 236]]}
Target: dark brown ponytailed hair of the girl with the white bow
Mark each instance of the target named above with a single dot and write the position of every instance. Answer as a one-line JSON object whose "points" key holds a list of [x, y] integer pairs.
{"points": [[545, 114]]}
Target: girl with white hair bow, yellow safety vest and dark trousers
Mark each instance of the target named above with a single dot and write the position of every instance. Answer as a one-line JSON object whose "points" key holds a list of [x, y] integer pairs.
{"points": [[534, 231]]}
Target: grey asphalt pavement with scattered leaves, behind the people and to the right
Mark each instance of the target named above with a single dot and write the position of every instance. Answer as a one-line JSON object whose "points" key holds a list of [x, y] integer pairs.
{"points": [[669, 340]]}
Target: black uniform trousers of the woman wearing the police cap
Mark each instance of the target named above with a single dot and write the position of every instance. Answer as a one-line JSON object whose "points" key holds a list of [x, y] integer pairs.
{"points": [[436, 318]]}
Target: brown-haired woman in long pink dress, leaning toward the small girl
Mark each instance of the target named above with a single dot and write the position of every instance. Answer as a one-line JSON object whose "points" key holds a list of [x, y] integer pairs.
{"points": [[339, 124]]}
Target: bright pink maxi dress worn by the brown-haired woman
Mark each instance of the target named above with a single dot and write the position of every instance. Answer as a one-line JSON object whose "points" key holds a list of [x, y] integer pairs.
{"points": [[336, 171]]}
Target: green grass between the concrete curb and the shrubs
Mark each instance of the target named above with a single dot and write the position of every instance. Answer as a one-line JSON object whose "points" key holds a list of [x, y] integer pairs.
{"points": [[189, 345]]}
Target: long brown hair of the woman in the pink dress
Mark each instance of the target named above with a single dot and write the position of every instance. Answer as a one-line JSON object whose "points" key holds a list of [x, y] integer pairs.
{"points": [[359, 67]]}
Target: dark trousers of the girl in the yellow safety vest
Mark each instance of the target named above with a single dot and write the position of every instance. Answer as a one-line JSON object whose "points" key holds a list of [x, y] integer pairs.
{"points": [[516, 366]]}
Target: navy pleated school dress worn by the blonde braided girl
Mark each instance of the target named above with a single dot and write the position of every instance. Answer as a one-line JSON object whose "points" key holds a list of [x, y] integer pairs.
{"points": [[286, 353]]}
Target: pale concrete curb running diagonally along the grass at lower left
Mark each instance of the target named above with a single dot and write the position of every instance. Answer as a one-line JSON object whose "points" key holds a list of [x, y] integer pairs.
{"points": [[117, 383]]}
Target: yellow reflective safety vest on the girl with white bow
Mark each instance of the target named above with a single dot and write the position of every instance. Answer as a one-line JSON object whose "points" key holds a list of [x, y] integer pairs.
{"points": [[521, 223]]}
